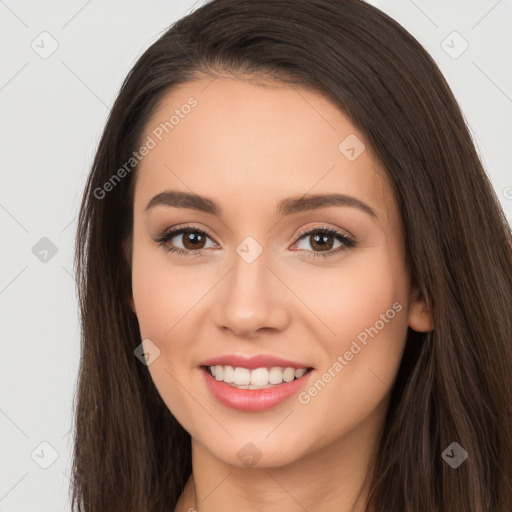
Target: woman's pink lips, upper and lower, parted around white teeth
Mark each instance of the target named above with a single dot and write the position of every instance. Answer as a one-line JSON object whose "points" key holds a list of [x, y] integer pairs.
{"points": [[253, 400]]}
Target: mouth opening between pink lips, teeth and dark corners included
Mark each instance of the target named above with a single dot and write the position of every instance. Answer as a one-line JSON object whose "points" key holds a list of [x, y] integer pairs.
{"points": [[258, 378]]}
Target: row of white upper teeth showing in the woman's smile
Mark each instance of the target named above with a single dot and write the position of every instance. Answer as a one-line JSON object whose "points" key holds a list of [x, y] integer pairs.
{"points": [[257, 377]]}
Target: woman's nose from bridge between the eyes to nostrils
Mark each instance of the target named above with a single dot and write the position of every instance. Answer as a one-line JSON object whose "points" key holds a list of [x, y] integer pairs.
{"points": [[250, 298]]}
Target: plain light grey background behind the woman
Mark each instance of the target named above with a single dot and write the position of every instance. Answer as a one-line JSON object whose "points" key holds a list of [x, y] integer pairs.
{"points": [[53, 109]]}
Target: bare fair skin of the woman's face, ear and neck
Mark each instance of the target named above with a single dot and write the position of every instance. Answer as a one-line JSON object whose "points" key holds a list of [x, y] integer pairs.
{"points": [[248, 147]]}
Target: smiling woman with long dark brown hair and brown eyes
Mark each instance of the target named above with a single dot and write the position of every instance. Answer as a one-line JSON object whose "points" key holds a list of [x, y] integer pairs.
{"points": [[294, 275]]}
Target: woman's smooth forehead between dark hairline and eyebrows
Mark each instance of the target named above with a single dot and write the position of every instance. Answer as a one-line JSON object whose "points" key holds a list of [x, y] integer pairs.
{"points": [[251, 145]]}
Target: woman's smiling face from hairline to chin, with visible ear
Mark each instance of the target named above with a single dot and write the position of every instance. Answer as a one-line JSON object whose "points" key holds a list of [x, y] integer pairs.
{"points": [[254, 278]]}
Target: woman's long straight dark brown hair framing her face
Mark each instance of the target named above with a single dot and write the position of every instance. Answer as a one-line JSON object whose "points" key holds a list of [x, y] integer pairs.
{"points": [[454, 383]]}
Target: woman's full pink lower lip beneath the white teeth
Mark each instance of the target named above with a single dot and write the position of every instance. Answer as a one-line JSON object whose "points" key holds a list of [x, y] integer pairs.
{"points": [[253, 400]]}
